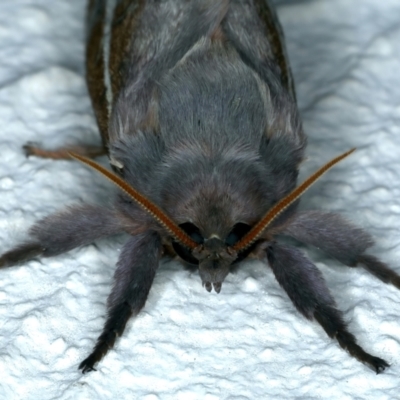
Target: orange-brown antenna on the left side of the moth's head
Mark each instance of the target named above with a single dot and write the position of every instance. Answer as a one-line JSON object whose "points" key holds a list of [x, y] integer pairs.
{"points": [[143, 202]]}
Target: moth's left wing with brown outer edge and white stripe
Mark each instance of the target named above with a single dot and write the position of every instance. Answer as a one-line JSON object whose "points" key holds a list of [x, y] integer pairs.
{"points": [[130, 45]]}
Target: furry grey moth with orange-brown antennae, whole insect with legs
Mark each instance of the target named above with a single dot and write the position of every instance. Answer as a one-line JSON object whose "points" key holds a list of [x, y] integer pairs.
{"points": [[197, 112]]}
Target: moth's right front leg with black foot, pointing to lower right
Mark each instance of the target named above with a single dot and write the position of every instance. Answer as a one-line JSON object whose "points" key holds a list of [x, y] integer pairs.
{"points": [[305, 286]]}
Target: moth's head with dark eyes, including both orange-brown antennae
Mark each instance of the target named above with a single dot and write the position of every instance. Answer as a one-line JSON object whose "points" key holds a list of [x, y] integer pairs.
{"points": [[214, 255]]}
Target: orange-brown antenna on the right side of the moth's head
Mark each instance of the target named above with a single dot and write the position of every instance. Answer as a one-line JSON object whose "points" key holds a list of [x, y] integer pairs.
{"points": [[283, 204]]}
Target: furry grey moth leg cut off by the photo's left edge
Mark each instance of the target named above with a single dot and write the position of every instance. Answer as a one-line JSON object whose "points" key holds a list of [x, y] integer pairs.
{"points": [[61, 232]]}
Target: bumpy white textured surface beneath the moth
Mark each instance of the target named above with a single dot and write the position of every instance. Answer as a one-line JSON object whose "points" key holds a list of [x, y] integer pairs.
{"points": [[248, 342]]}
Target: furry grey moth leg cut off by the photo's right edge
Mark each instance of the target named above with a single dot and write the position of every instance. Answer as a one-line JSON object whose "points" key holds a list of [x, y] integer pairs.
{"points": [[340, 239]]}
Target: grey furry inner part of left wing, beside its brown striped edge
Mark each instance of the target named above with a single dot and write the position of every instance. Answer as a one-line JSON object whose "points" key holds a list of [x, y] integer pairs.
{"points": [[167, 31]]}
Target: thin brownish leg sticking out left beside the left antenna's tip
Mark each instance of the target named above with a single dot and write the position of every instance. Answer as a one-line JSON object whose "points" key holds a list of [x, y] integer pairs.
{"points": [[63, 152]]}
